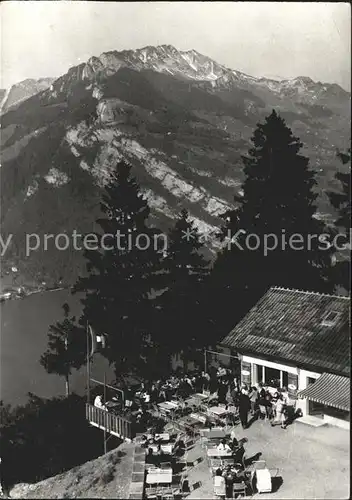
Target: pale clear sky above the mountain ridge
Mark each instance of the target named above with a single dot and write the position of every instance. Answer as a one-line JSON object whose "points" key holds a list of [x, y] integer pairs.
{"points": [[280, 40]]}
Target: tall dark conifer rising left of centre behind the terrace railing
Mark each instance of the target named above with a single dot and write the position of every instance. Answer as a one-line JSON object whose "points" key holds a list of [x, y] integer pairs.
{"points": [[122, 273]]}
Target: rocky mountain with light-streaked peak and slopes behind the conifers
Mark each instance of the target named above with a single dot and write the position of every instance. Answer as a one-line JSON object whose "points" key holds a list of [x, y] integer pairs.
{"points": [[180, 118]]}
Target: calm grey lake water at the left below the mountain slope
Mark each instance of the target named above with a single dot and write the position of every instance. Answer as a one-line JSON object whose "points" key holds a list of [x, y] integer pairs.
{"points": [[24, 328]]}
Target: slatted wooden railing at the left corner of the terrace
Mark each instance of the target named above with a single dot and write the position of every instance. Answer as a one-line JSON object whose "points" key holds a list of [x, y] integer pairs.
{"points": [[113, 424]]}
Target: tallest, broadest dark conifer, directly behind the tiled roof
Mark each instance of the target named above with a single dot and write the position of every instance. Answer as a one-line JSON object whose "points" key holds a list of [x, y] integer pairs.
{"points": [[278, 201]]}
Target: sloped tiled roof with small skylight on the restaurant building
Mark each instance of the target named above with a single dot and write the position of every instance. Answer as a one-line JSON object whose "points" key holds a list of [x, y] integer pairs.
{"points": [[288, 325]]}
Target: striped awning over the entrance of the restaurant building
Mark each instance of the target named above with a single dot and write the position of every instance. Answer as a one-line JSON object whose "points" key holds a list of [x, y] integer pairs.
{"points": [[329, 390]]}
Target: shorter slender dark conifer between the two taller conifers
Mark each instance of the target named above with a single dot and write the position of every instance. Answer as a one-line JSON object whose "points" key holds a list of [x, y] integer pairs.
{"points": [[185, 269]]}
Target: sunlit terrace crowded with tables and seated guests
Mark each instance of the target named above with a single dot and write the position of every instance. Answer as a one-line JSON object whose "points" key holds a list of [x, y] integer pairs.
{"points": [[179, 440]]}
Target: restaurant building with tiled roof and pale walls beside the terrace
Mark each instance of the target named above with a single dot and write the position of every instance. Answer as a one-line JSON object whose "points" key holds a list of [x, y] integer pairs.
{"points": [[301, 341]]}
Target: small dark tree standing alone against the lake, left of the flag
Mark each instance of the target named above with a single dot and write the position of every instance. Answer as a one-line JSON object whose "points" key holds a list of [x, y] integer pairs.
{"points": [[66, 347]]}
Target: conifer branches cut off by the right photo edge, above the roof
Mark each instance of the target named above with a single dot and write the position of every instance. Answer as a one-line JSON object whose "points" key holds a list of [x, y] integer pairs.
{"points": [[342, 203]]}
